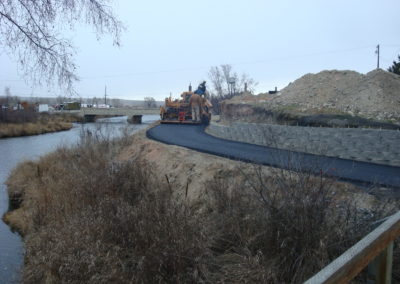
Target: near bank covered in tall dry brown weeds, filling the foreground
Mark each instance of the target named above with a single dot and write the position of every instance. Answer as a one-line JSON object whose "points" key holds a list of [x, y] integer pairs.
{"points": [[90, 218]]}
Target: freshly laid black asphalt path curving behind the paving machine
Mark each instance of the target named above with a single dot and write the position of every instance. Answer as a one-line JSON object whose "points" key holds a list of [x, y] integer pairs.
{"points": [[194, 137]]}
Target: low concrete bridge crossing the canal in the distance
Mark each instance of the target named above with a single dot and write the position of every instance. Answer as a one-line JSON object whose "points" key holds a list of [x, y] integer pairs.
{"points": [[134, 115]]}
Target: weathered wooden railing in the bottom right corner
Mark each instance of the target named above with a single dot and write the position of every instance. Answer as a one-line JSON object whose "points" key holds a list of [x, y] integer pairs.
{"points": [[374, 250]]}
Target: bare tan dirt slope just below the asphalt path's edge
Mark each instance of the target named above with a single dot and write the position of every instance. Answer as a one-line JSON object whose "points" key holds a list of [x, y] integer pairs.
{"points": [[190, 171]]}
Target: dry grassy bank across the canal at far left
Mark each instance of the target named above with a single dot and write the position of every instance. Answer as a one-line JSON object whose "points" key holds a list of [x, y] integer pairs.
{"points": [[38, 125]]}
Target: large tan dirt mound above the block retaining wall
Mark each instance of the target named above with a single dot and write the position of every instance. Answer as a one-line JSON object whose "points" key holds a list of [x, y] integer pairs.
{"points": [[374, 95]]}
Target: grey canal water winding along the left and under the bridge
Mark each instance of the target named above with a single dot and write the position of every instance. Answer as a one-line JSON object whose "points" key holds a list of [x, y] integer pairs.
{"points": [[19, 149]]}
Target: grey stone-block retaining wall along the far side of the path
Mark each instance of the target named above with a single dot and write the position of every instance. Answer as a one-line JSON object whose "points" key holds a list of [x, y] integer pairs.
{"points": [[369, 145]]}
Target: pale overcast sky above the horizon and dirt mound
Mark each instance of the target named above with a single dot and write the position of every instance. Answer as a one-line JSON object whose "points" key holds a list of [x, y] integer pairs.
{"points": [[169, 44]]}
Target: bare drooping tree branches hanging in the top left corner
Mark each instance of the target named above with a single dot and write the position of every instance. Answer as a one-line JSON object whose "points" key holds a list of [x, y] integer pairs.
{"points": [[30, 31]]}
